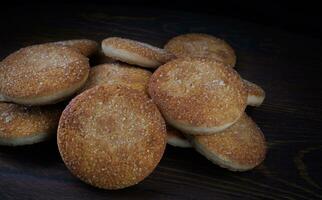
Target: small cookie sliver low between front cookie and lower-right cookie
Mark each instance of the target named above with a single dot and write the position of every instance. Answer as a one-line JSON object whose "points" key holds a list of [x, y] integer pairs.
{"points": [[176, 138]]}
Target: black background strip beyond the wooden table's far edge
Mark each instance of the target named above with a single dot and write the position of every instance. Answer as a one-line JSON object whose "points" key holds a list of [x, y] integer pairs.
{"points": [[301, 17]]}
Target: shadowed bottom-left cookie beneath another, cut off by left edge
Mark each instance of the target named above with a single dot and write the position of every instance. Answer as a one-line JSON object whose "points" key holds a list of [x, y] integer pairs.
{"points": [[22, 125]]}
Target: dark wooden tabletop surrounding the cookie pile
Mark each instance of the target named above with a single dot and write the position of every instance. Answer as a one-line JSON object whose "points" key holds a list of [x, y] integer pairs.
{"points": [[287, 66]]}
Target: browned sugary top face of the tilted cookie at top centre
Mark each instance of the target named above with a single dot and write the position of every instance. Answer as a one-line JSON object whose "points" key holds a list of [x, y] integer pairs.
{"points": [[139, 48]]}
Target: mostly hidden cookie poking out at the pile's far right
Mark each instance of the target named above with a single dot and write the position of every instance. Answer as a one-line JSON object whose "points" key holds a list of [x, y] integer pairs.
{"points": [[256, 94]]}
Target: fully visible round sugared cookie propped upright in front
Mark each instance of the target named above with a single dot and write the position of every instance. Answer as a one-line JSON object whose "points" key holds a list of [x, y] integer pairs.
{"points": [[111, 137]]}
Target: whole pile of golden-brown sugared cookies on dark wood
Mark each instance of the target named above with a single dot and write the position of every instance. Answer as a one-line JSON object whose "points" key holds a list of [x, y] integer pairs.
{"points": [[119, 117]]}
